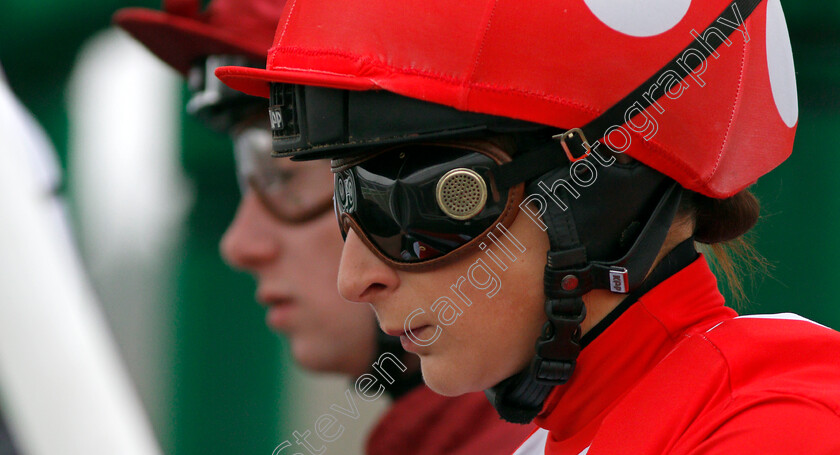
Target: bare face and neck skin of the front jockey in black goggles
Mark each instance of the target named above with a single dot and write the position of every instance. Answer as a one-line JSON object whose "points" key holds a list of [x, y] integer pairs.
{"points": [[494, 337]]}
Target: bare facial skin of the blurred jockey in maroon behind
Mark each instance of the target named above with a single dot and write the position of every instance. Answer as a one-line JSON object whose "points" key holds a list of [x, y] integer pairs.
{"points": [[295, 266]]}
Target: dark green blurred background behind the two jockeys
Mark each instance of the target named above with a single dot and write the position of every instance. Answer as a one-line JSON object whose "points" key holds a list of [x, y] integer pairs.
{"points": [[226, 372]]}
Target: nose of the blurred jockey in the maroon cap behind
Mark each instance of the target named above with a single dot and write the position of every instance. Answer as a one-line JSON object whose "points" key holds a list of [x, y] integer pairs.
{"points": [[249, 242]]}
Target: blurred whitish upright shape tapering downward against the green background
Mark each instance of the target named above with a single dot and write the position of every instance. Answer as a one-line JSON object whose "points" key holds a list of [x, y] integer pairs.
{"points": [[132, 201]]}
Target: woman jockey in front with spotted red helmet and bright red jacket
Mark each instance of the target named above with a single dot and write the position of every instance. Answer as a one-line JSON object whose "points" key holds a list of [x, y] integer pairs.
{"points": [[521, 188]]}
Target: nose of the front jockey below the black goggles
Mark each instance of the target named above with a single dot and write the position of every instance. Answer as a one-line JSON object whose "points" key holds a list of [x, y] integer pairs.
{"points": [[362, 276]]}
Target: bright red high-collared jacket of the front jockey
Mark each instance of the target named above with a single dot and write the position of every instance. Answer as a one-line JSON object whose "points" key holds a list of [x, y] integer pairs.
{"points": [[678, 373]]}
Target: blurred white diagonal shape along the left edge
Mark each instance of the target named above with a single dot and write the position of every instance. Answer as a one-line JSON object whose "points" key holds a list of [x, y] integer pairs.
{"points": [[63, 387]]}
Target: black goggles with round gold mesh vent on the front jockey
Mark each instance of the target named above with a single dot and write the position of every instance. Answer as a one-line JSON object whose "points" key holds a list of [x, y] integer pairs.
{"points": [[417, 205]]}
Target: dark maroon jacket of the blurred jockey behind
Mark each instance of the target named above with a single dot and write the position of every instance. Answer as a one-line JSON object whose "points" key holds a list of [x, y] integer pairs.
{"points": [[424, 423]]}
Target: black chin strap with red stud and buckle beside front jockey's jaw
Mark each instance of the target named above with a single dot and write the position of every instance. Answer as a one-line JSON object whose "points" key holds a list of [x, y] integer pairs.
{"points": [[568, 276]]}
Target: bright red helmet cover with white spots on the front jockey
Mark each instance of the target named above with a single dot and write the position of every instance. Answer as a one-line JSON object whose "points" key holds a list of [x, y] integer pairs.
{"points": [[565, 64]]}
